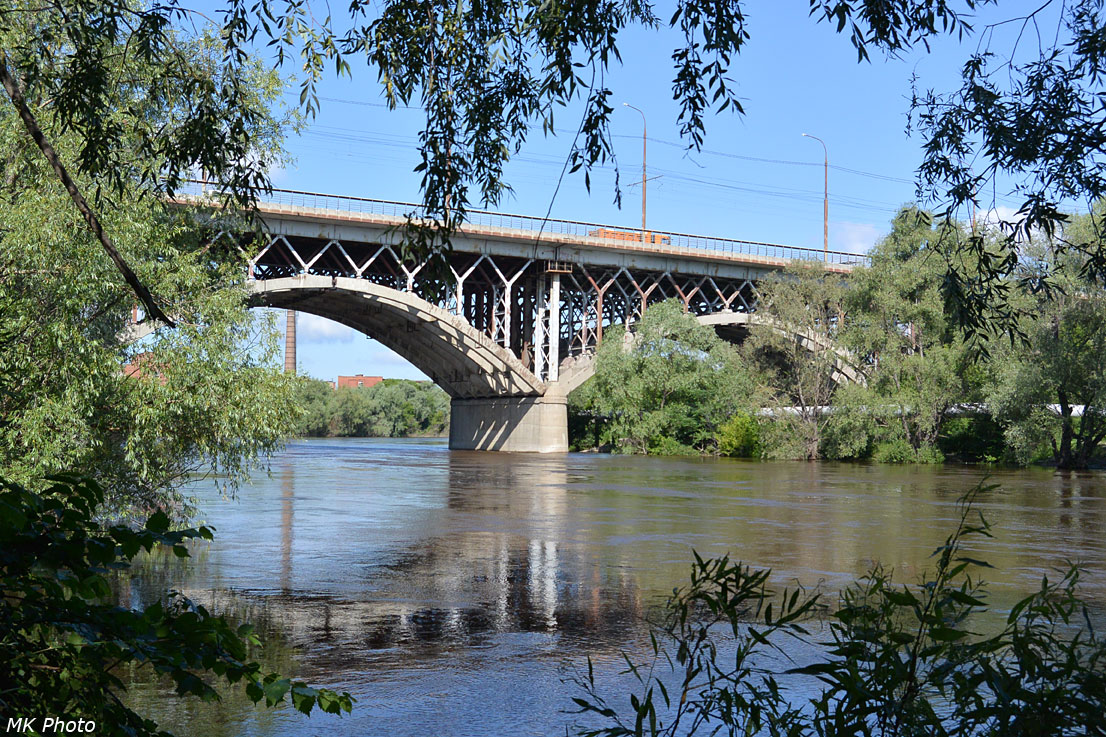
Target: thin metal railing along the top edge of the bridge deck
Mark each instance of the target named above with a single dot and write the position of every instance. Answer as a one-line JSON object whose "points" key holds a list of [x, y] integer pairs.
{"points": [[602, 234]]}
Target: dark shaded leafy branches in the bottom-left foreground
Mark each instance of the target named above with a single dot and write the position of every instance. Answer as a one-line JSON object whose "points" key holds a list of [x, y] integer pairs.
{"points": [[64, 645]]}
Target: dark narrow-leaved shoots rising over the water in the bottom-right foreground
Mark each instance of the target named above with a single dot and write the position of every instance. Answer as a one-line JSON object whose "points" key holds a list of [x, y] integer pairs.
{"points": [[900, 660]]}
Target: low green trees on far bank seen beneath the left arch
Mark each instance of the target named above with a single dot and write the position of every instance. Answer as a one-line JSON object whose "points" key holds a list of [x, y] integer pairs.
{"points": [[391, 409]]}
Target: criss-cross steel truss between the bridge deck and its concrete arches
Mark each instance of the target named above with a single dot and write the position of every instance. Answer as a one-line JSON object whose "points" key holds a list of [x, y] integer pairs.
{"points": [[519, 304]]}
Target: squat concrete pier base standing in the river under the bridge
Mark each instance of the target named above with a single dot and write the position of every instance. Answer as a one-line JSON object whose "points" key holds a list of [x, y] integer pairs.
{"points": [[518, 424]]}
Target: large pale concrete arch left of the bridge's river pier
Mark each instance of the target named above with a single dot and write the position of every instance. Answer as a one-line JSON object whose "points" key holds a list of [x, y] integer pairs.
{"points": [[463, 361]]}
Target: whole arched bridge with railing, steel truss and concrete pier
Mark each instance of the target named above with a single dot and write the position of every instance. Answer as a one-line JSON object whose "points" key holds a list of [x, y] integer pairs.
{"points": [[518, 328]]}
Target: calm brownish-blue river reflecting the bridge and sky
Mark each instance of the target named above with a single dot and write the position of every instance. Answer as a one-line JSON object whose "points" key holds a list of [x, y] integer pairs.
{"points": [[454, 594]]}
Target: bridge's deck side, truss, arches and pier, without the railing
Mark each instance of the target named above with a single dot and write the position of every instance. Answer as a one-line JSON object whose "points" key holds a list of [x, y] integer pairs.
{"points": [[513, 335]]}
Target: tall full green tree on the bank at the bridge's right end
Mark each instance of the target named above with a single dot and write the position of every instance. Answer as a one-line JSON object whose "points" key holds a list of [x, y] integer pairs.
{"points": [[915, 360]]}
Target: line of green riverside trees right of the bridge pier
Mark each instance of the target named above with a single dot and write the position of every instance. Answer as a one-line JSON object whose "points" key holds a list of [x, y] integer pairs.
{"points": [[930, 391]]}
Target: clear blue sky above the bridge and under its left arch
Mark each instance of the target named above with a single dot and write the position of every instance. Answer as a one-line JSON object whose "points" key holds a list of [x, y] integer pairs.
{"points": [[757, 178]]}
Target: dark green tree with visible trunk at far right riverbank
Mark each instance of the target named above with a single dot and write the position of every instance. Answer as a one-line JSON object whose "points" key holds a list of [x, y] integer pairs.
{"points": [[1061, 364]]}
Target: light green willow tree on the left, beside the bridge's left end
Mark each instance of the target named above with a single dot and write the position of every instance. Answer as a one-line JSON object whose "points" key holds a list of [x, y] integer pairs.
{"points": [[206, 398]]}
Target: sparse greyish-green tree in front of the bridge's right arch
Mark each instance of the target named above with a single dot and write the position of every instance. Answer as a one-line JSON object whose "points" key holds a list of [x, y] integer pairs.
{"points": [[800, 354]]}
